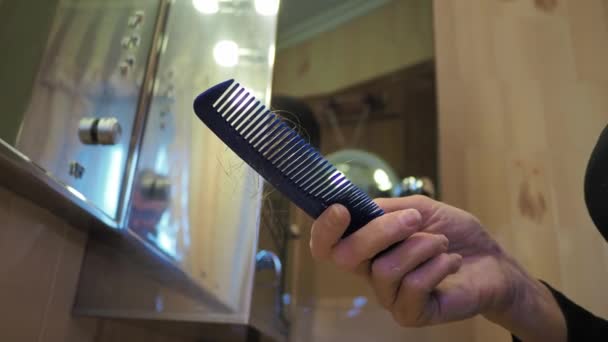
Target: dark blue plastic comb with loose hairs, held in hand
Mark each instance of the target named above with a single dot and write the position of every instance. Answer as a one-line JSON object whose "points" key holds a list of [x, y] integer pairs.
{"points": [[280, 155]]}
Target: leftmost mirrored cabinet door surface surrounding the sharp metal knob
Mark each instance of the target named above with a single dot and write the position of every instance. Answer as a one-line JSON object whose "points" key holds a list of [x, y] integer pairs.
{"points": [[93, 66]]}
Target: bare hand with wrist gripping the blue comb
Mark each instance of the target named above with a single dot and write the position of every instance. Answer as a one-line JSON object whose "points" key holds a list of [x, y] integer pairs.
{"points": [[442, 265]]}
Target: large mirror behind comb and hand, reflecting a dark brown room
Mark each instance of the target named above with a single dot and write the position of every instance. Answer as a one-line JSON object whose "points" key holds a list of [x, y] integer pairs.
{"points": [[366, 71]]}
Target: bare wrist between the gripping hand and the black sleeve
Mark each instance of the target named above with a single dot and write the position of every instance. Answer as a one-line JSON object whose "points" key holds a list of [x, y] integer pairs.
{"points": [[528, 310]]}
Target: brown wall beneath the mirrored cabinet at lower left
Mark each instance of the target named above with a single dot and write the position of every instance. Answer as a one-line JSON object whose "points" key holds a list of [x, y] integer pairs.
{"points": [[40, 260]]}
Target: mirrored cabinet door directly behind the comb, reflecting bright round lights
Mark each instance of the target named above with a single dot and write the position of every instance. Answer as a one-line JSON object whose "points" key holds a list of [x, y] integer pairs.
{"points": [[193, 199]]}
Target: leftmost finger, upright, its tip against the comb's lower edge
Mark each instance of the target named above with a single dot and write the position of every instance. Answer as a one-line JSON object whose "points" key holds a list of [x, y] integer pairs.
{"points": [[327, 230]]}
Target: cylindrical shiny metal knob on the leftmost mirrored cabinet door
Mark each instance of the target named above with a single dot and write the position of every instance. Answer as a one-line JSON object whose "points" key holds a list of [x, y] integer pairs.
{"points": [[99, 131]]}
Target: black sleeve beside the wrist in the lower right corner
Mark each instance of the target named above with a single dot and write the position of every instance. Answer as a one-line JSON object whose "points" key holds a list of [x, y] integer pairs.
{"points": [[582, 325]]}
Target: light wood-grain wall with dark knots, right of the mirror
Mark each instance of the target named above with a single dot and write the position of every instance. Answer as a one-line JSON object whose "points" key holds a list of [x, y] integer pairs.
{"points": [[523, 94]]}
